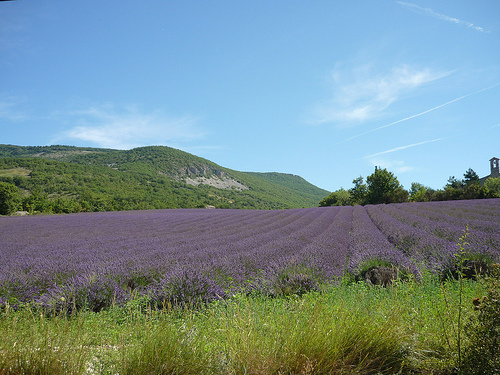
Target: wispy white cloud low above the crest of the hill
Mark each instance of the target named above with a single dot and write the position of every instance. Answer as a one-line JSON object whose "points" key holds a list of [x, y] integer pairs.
{"points": [[125, 128]]}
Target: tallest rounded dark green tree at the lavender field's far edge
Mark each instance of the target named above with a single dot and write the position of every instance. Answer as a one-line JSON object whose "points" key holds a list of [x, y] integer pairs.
{"points": [[384, 187]]}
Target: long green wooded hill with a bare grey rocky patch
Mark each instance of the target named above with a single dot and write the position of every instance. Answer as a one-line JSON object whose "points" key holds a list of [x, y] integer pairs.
{"points": [[69, 179]]}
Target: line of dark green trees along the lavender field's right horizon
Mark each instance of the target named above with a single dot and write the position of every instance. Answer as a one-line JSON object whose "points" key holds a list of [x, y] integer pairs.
{"points": [[383, 186]]}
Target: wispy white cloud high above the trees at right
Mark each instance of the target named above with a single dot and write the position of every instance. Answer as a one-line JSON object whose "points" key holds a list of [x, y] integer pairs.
{"points": [[360, 95]]}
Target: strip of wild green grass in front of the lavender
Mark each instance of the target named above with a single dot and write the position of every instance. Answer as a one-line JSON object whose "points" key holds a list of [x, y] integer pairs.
{"points": [[412, 327]]}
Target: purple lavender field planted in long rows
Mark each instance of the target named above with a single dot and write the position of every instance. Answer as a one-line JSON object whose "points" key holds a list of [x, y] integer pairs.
{"points": [[97, 259]]}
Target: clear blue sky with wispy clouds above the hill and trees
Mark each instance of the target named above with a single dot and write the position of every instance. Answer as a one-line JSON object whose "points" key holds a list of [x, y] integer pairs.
{"points": [[326, 90]]}
